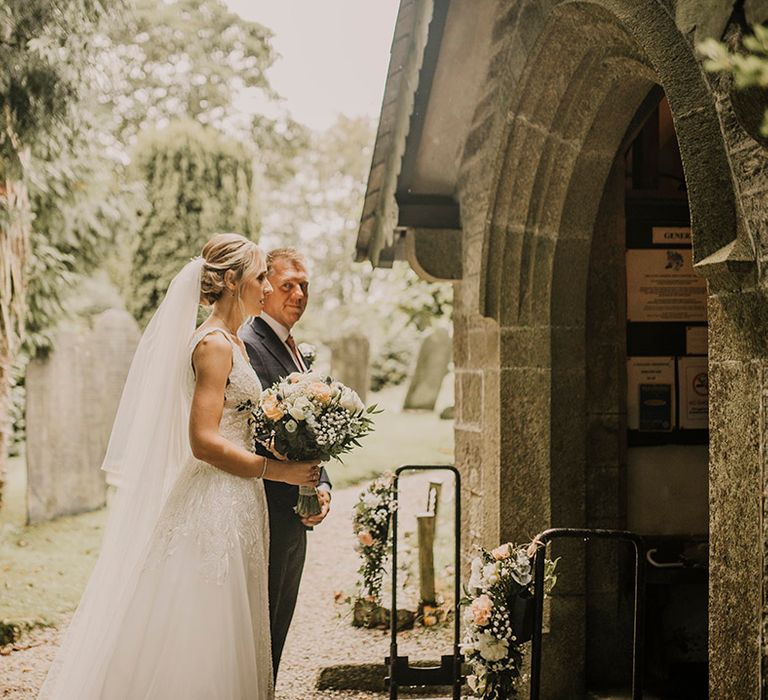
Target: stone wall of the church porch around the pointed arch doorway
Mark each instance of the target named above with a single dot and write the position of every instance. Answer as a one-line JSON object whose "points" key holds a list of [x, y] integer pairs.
{"points": [[563, 84]]}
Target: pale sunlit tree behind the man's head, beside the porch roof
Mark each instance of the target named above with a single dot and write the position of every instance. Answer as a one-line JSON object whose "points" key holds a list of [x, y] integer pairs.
{"points": [[318, 211]]}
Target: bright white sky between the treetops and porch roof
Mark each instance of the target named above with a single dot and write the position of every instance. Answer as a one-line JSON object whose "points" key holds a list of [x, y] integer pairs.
{"points": [[334, 53]]}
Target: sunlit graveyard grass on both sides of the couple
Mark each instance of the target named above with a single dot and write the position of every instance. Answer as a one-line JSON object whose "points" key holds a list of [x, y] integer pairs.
{"points": [[44, 567]]}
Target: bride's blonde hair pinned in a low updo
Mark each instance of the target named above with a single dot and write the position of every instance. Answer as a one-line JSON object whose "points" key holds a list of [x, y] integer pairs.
{"points": [[226, 251]]}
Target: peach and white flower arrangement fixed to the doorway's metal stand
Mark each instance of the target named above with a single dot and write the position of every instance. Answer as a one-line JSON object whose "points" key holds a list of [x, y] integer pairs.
{"points": [[499, 588]]}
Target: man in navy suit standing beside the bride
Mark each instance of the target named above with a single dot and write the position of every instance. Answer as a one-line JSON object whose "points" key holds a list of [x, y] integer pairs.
{"points": [[273, 354]]}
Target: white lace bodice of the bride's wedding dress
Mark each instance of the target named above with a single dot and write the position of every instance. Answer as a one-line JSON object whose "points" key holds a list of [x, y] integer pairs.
{"points": [[242, 385]]}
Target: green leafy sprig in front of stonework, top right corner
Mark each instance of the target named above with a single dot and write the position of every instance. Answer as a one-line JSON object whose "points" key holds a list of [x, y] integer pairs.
{"points": [[748, 68]]}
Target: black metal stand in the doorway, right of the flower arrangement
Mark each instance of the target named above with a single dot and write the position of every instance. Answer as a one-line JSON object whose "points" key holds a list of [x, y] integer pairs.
{"points": [[638, 646]]}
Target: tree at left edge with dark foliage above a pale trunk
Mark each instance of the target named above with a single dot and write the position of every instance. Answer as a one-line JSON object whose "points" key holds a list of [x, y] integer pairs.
{"points": [[44, 48]]}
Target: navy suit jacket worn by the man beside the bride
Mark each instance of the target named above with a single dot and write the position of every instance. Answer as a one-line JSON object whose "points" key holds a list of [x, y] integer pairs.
{"points": [[272, 361]]}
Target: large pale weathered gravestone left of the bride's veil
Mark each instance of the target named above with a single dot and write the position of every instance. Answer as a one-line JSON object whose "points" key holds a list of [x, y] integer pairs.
{"points": [[72, 398]]}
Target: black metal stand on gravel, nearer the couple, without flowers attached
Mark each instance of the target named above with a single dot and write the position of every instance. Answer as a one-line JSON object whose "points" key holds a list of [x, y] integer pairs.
{"points": [[401, 673]]}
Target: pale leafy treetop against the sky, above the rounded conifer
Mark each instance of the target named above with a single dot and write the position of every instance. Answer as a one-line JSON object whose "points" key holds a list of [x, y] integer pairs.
{"points": [[184, 59]]}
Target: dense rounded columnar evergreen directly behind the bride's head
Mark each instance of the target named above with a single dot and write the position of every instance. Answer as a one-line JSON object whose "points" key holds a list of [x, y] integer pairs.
{"points": [[196, 183]]}
